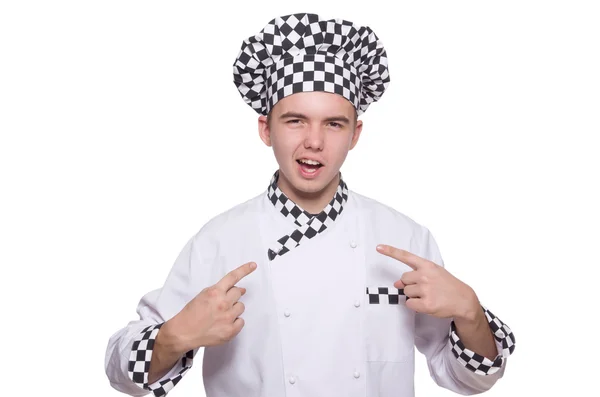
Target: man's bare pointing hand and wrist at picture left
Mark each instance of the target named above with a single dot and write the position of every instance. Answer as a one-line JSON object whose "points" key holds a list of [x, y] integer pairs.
{"points": [[212, 317]]}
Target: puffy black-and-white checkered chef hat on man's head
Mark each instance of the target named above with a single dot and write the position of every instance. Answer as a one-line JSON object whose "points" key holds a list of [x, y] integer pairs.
{"points": [[301, 52]]}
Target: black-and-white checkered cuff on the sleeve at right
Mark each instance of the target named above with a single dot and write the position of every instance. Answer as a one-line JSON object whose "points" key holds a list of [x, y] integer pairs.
{"points": [[505, 343]]}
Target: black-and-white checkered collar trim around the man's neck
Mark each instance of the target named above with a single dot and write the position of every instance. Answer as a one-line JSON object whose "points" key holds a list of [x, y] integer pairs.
{"points": [[308, 225]]}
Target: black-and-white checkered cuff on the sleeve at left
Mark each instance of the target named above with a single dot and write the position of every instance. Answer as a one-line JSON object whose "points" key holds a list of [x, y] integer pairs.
{"points": [[141, 356]]}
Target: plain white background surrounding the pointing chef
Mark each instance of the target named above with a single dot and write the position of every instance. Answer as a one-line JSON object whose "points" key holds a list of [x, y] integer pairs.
{"points": [[122, 133]]}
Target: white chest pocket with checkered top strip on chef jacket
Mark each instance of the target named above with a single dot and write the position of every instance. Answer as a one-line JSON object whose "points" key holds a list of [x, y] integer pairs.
{"points": [[389, 325]]}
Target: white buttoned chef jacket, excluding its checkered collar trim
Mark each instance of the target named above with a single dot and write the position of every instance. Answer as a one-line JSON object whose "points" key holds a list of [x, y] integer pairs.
{"points": [[322, 320]]}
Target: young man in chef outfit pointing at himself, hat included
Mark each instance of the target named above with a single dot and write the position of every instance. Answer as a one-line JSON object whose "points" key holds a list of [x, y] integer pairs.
{"points": [[310, 289]]}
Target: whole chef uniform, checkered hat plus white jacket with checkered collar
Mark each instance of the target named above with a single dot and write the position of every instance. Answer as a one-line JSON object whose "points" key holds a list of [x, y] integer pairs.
{"points": [[322, 316]]}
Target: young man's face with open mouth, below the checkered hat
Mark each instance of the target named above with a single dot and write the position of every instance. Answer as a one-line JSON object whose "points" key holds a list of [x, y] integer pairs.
{"points": [[307, 127]]}
